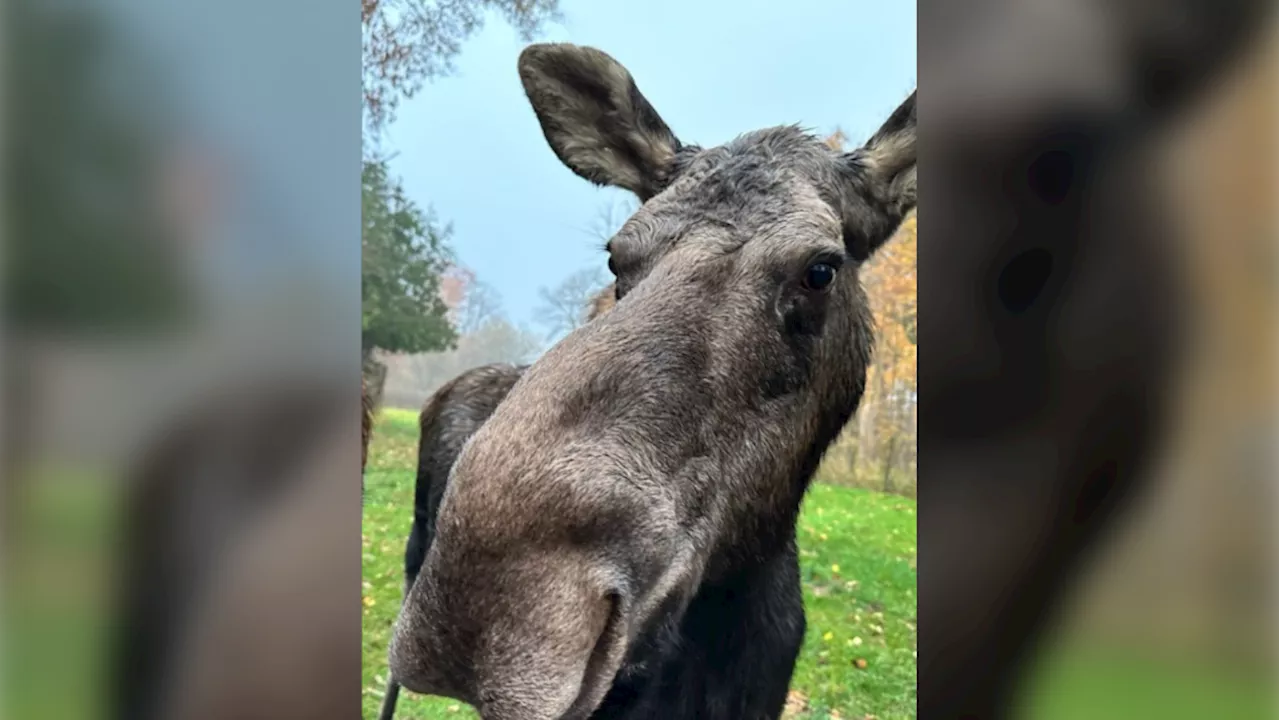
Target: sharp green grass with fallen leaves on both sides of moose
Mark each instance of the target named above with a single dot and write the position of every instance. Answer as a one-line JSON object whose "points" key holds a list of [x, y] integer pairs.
{"points": [[858, 560]]}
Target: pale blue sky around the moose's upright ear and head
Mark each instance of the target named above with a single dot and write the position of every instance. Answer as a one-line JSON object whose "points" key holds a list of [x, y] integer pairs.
{"points": [[469, 148]]}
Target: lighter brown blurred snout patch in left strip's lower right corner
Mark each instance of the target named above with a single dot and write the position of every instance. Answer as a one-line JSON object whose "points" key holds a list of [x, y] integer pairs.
{"points": [[273, 636]]}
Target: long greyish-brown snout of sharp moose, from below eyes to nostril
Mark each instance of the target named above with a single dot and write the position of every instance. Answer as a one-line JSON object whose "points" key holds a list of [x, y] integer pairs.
{"points": [[554, 544]]}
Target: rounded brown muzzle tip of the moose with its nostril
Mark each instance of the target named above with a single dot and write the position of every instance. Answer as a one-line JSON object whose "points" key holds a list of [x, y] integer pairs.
{"points": [[533, 637]]}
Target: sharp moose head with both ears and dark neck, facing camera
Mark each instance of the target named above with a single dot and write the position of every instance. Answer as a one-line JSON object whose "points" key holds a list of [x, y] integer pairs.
{"points": [[618, 539]]}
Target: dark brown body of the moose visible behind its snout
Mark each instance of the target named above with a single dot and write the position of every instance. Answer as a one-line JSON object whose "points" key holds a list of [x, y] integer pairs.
{"points": [[447, 422]]}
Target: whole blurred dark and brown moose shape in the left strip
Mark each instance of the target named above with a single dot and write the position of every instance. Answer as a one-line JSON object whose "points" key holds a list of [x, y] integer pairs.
{"points": [[263, 459]]}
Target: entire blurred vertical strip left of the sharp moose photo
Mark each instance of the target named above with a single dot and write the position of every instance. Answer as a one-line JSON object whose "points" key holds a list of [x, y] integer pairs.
{"points": [[180, 461]]}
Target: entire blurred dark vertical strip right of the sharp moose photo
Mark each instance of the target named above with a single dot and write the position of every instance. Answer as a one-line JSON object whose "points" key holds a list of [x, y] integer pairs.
{"points": [[1071, 284]]}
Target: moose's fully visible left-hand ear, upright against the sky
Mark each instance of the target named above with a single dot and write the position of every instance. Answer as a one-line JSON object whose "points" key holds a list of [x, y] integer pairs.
{"points": [[596, 120]]}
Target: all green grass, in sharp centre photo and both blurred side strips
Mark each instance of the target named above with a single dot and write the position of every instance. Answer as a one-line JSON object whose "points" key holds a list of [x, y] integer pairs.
{"points": [[57, 563]]}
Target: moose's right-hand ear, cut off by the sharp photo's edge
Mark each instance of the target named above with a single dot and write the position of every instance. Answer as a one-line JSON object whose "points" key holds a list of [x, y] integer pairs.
{"points": [[880, 189]]}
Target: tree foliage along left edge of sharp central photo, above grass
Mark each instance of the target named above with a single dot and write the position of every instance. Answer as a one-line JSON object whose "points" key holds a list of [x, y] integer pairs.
{"points": [[404, 250]]}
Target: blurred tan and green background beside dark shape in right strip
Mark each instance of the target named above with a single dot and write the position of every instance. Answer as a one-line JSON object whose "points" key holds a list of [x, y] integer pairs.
{"points": [[1181, 614]]}
